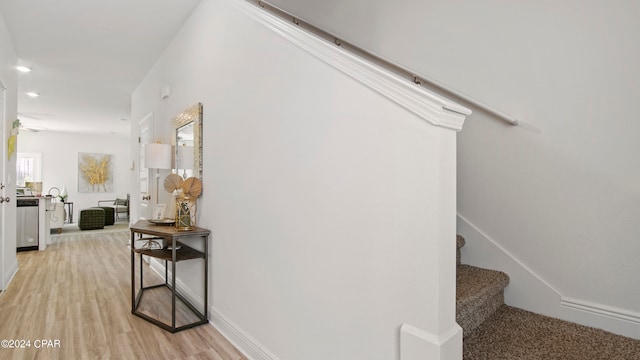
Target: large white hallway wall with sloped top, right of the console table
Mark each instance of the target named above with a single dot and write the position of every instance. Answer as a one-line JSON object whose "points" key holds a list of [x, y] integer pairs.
{"points": [[332, 207]]}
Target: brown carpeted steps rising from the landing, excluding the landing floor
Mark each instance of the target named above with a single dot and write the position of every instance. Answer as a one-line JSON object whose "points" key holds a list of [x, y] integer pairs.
{"points": [[479, 292]]}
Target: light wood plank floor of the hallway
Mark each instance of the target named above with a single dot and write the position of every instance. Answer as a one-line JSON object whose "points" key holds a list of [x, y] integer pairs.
{"points": [[78, 291]]}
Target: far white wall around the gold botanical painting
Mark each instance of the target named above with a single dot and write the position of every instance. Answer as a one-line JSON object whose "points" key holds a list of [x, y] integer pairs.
{"points": [[60, 163]]}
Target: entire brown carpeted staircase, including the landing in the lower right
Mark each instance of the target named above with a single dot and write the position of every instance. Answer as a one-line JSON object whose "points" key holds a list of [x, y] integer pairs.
{"points": [[512, 333]]}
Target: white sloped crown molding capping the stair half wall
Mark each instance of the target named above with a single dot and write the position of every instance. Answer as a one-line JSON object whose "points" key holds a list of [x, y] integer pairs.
{"points": [[429, 106]]}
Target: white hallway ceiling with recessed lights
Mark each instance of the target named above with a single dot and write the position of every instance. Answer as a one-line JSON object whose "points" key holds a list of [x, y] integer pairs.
{"points": [[87, 57]]}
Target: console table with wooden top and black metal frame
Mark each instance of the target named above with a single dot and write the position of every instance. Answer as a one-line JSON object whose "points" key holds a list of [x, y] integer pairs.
{"points": [[158, 241]]}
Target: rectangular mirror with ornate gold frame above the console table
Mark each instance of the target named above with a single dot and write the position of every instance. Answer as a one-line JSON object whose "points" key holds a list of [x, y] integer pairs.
{"points": [[188, 141]]}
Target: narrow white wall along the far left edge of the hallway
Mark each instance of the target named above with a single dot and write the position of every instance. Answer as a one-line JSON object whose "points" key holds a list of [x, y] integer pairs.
{"points": [[8, 61]]}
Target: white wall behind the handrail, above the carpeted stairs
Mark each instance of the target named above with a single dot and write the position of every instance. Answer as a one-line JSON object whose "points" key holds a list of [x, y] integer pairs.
{"points": [[561, 192]]}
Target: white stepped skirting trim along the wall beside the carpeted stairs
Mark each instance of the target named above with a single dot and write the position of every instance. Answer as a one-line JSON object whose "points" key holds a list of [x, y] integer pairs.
{"points": [[529, 291]]}
